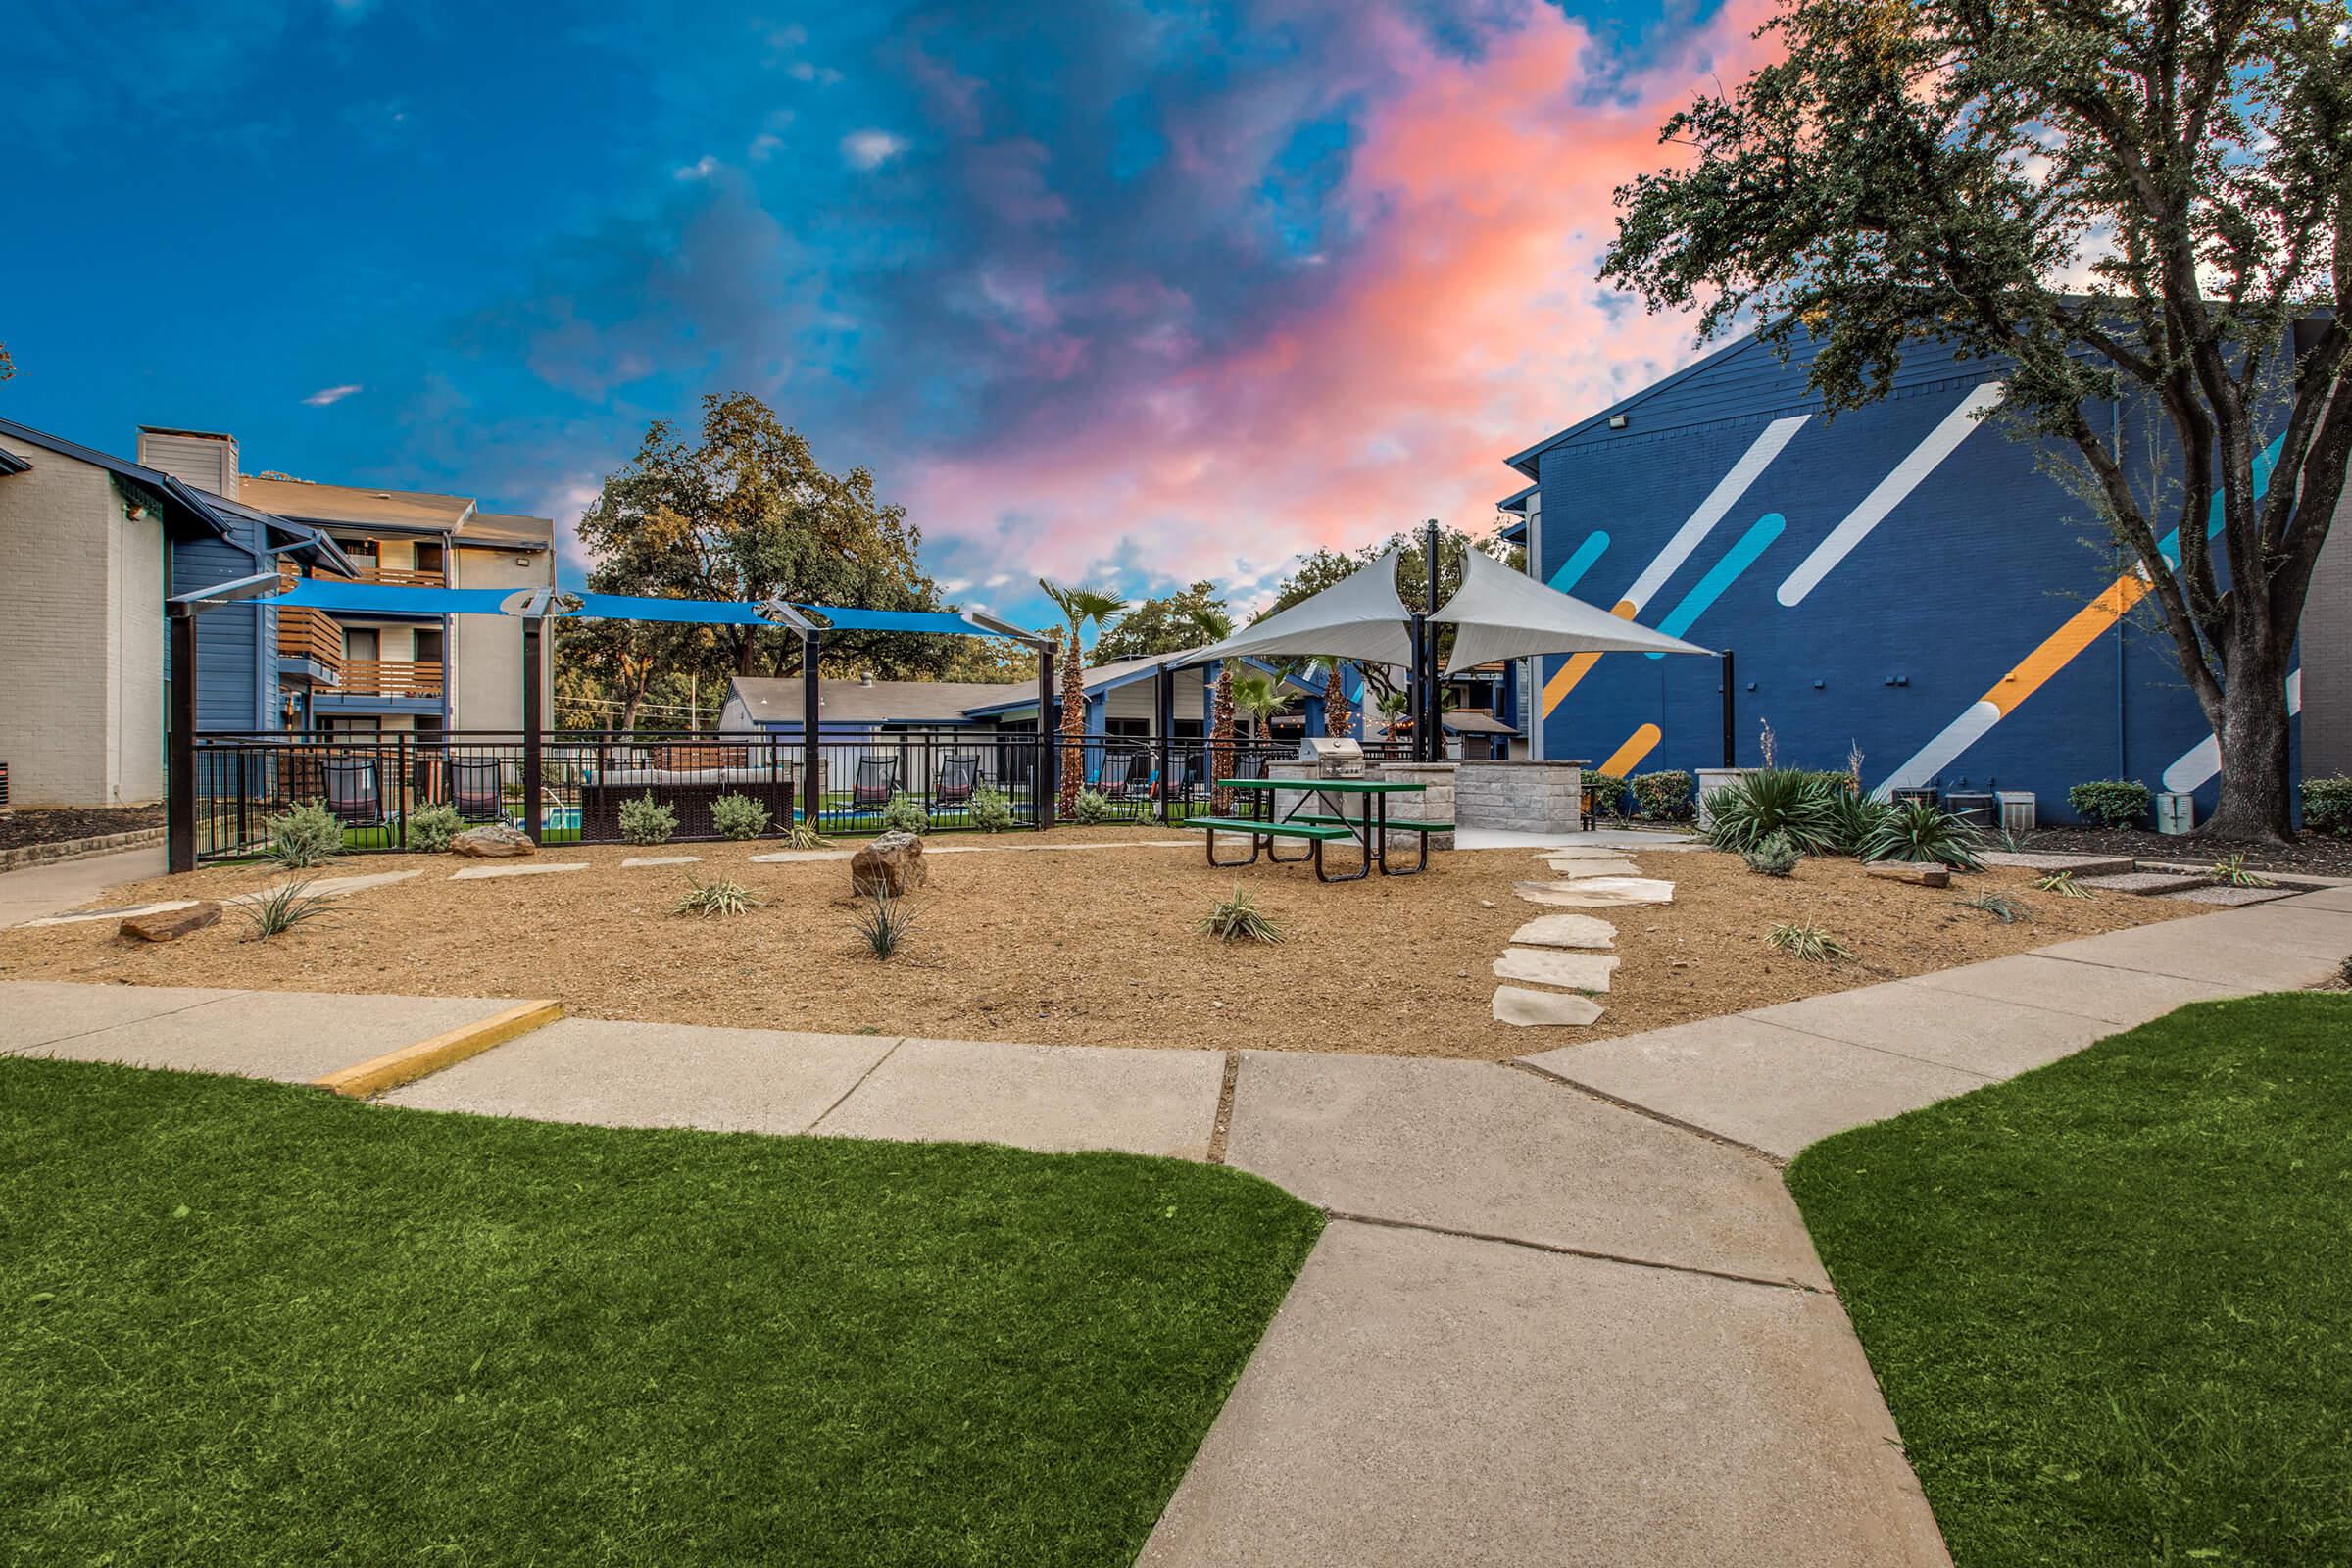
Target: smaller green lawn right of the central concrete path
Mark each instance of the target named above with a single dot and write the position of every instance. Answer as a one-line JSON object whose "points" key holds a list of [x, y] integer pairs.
{"points": [[2111, 1301]]}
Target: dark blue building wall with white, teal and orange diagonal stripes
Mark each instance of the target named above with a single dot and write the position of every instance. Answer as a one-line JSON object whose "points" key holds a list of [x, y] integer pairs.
{"points": [[1904, 579]]}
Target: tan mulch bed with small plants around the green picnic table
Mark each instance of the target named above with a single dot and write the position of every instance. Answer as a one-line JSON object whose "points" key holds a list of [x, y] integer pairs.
{"points": [[1036, 944]]}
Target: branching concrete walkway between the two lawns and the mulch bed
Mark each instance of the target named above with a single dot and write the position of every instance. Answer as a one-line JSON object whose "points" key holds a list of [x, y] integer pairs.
{"points": [[1565, 1311]]}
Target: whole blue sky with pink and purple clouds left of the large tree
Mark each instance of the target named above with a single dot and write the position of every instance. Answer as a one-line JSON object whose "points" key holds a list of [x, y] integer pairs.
{"points": [[1125, 293]]}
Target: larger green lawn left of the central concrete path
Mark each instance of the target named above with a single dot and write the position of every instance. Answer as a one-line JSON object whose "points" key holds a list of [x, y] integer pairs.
{"points": [[253, 1325]]}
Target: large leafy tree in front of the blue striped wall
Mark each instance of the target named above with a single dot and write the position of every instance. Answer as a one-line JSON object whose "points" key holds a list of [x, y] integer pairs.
{"points": [[2144, 203]]}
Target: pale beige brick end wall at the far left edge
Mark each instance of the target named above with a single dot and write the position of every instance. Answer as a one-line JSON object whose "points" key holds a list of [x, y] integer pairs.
{"points": [[81, 638]]}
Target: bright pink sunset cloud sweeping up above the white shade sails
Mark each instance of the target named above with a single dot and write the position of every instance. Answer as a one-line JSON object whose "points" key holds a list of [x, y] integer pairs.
{"points": [[1462, 326]]}
